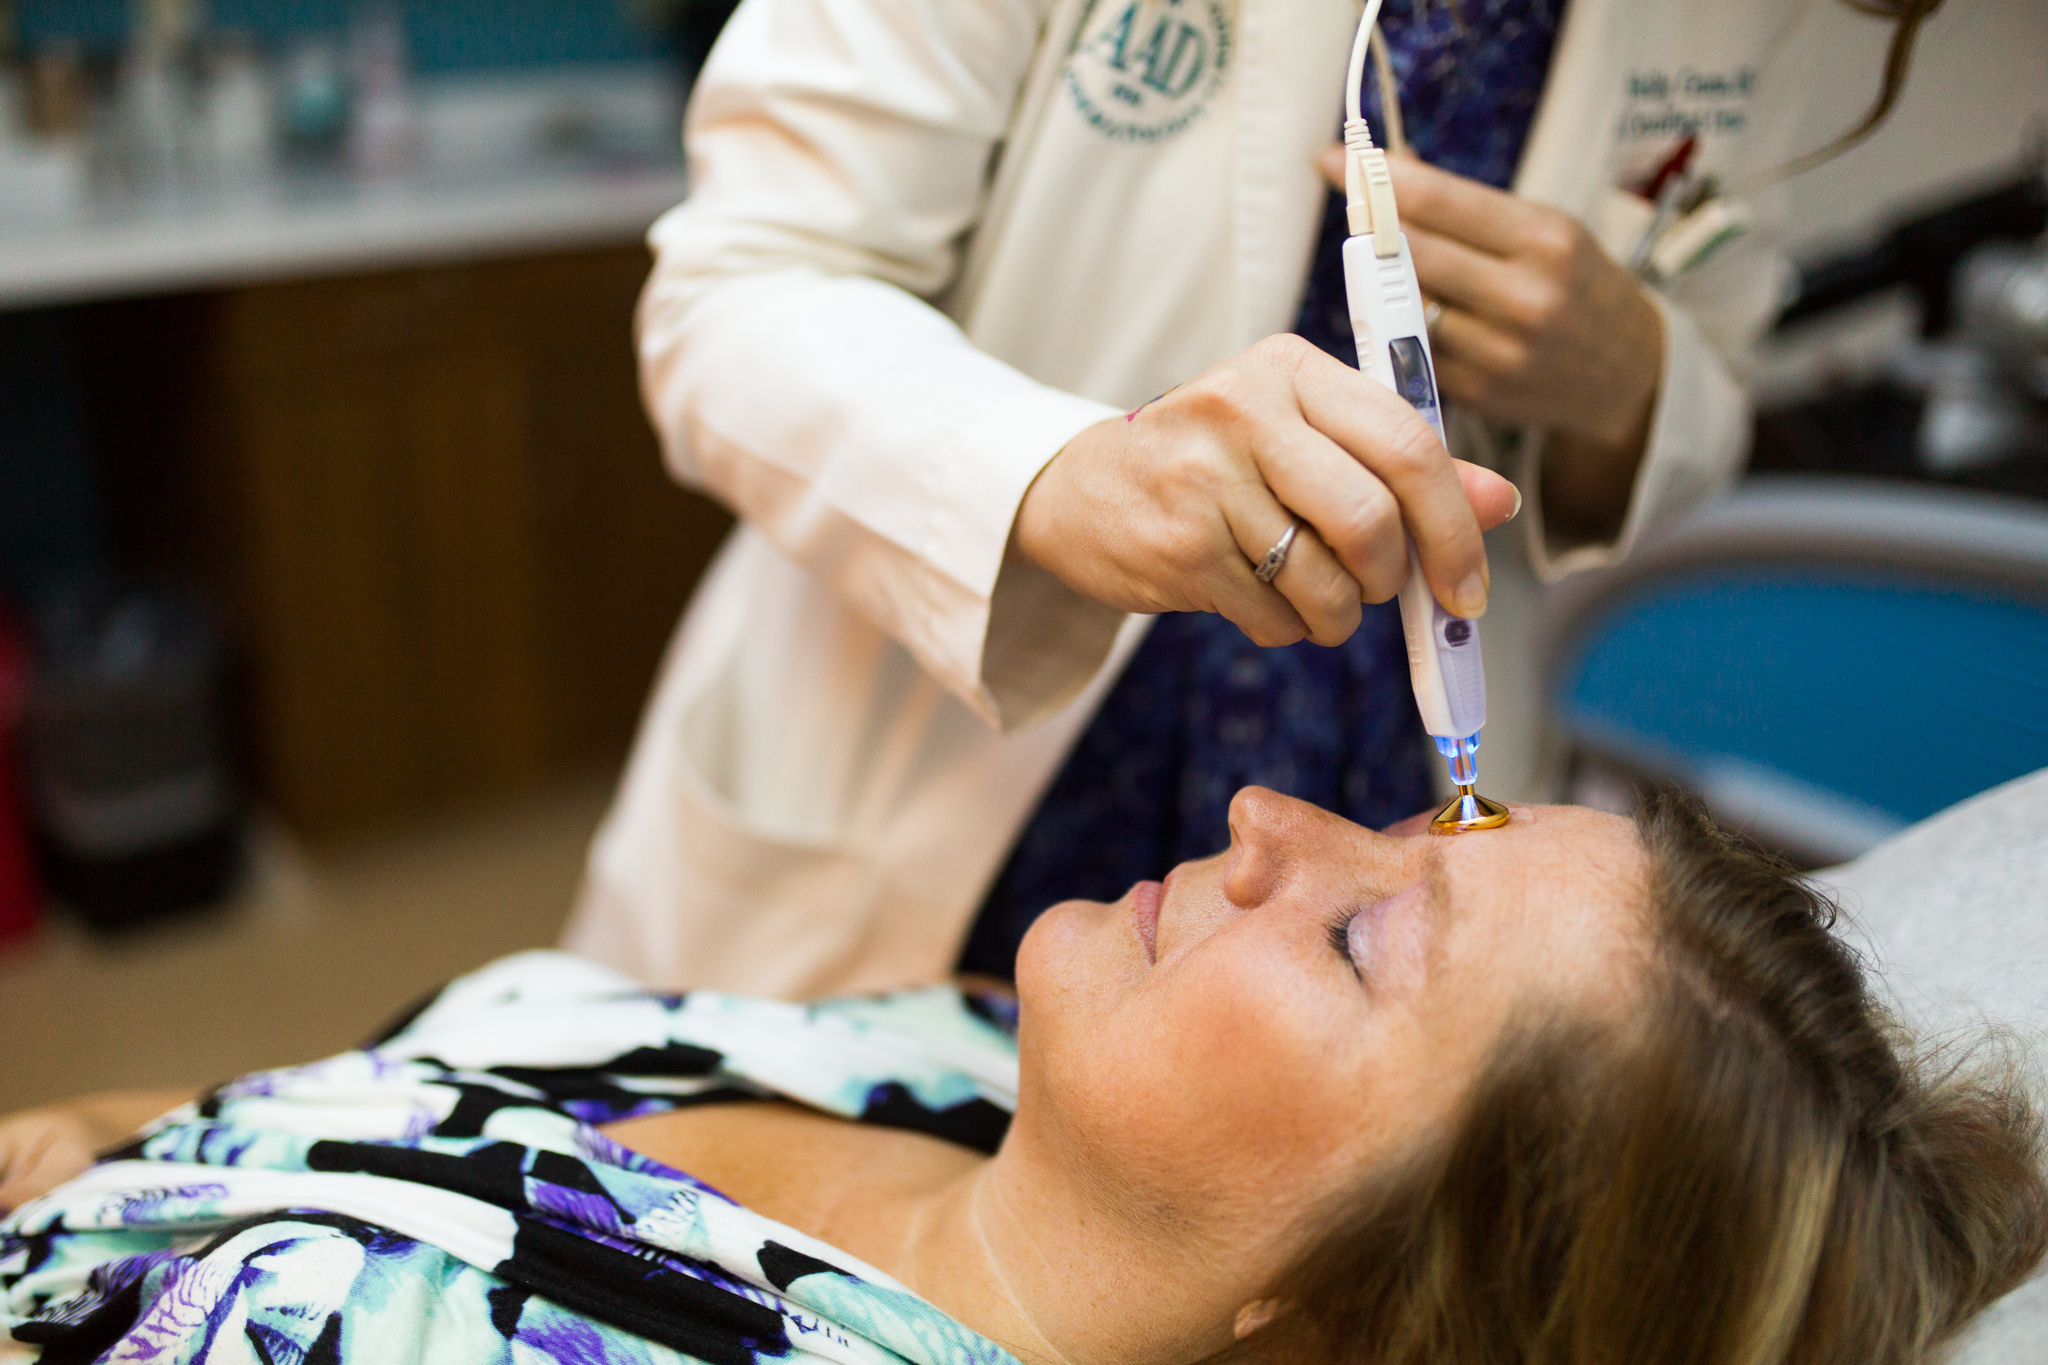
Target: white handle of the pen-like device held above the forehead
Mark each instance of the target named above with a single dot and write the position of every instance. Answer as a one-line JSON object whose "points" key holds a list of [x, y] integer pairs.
{"points": [[1394, 347]]}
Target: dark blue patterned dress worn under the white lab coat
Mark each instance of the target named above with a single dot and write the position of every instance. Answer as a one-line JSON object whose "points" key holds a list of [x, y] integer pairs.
{"points": [[1201, 711]]}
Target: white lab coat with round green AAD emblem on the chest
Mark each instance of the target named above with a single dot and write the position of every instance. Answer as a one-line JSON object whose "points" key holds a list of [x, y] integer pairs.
{"points": [[927, 245]]}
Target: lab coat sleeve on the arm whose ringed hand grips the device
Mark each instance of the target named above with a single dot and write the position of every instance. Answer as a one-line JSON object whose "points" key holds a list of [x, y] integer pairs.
{"points": [[796, 367]]}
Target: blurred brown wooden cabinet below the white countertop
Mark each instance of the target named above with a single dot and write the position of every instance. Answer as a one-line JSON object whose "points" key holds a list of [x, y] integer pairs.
{"points": [[429, 502]]}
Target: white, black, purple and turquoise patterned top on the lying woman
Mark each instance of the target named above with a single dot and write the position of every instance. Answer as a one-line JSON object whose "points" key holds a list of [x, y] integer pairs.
{"points": [[445, 1196]]}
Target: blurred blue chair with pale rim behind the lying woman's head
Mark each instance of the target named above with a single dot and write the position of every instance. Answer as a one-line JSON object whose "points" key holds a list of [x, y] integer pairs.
{"points": [[1824, 660]]}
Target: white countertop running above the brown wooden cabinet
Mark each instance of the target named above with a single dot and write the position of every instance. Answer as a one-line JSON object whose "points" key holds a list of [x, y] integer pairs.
{"points": [[323, 228]]}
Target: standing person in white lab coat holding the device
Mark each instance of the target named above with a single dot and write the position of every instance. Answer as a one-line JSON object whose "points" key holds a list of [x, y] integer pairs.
{"points": [[1013, 333]]}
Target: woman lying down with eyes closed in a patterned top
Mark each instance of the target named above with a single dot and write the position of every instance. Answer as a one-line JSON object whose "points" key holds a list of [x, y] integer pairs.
{"points": [[1572, 1092]]}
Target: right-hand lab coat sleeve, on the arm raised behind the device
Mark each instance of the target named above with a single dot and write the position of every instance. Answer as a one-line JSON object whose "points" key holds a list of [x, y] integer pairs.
{"points": [[1699, 437]]}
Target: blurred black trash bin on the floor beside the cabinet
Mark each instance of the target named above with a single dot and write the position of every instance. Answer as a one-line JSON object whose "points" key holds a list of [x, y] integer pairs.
{"points": [[128, 764]]}
